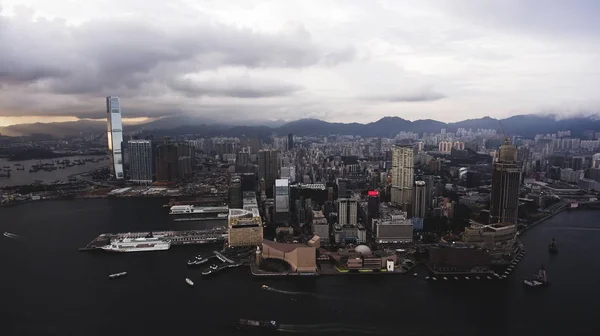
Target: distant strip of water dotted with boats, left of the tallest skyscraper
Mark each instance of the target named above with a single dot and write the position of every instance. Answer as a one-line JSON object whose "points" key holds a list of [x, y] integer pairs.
{"points": [[21, 177]]}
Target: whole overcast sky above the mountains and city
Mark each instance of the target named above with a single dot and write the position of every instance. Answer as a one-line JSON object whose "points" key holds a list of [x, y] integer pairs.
{"points": [[342, 61]]}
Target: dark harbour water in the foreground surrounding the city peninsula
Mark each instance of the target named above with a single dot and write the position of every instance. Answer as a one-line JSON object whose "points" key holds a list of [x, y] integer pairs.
{"points": [[49, 288]]}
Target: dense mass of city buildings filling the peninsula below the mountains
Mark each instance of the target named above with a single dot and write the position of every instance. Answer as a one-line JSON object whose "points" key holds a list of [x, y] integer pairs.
{"points": [[346, 191]]}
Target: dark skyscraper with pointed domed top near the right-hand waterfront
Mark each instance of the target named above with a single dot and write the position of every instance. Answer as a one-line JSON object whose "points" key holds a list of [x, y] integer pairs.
{"points": [[506, 177]]}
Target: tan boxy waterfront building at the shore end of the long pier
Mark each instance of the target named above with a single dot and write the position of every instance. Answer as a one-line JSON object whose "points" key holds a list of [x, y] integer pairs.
{"points": [[245, 227]]}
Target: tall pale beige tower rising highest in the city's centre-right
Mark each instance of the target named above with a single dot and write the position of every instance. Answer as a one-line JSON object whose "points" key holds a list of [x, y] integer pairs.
{"points": [[402, 174]]}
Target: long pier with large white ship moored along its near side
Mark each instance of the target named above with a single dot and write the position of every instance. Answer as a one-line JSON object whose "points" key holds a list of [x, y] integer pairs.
{"points": [[182, 237]]}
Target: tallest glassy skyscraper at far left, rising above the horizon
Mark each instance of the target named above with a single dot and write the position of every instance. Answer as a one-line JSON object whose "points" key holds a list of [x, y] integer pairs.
{"points": [[115, 137]]}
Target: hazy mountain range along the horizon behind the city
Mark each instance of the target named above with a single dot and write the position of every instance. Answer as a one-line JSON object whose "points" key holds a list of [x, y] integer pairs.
{"points": [[524, 125]]}
